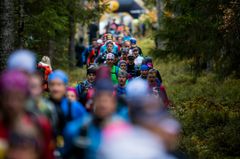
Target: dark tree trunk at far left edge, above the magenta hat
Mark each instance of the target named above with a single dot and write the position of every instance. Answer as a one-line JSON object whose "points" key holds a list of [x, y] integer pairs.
{"points": [[7, 31]]}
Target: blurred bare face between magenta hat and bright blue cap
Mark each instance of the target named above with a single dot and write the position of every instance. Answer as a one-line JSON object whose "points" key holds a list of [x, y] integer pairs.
{"points": [[35, 86]]}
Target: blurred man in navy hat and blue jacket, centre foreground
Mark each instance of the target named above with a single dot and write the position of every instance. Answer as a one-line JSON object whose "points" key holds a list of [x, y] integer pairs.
{"points": [[85, 136]]}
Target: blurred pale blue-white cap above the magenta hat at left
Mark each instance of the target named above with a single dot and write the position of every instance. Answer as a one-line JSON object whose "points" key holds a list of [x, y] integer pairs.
{"points": [[23, 60]]}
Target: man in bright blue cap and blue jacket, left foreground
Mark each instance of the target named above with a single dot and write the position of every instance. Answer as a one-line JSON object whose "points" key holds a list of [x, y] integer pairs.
{"points": [[67, 111]]}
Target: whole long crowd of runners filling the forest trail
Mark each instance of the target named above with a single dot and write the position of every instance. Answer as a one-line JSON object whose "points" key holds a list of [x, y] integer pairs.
{"points": [[119, 112]]}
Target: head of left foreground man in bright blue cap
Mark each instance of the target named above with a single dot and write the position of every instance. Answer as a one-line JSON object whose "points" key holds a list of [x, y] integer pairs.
{"points": [[57, 83]]}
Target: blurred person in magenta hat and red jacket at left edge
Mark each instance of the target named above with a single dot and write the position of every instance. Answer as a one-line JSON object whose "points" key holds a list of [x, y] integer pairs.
{"points": [[14, 96]]}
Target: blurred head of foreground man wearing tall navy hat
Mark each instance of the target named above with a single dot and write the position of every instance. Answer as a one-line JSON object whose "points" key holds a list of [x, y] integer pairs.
{"points": [[104, 100]]}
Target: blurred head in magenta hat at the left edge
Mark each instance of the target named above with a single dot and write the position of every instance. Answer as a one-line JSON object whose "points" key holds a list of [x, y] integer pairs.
{"points": [[14, 93]]}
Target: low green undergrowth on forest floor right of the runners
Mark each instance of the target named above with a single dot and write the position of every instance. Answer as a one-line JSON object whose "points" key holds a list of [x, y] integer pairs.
{"points": [[208, 109]]}
